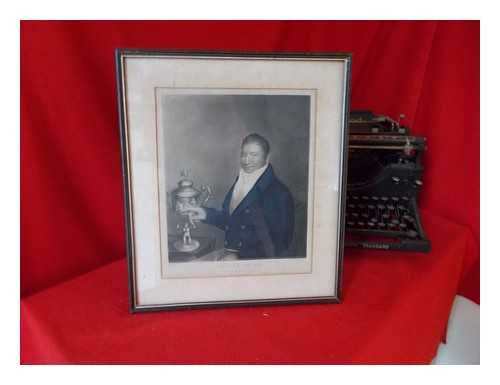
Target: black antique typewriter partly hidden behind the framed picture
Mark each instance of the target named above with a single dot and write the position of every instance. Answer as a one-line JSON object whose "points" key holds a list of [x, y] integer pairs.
{"points": [[383, 181]]}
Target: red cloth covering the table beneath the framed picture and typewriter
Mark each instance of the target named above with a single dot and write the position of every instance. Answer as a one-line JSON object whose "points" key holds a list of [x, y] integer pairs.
{"points": [[395, 310]]}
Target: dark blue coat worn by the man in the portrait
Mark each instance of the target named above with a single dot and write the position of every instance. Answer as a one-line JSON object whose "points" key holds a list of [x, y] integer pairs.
{"points": [[262, 225]]}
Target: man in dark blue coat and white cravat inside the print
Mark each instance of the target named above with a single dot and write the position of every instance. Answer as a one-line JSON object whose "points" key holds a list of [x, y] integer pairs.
{"points": [[257, 214]]}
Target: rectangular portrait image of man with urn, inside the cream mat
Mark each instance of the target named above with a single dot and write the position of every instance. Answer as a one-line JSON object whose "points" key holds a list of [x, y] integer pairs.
{"points": [[253, 152]]}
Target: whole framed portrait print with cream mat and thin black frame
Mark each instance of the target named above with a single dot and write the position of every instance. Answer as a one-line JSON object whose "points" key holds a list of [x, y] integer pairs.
{"points": [[234, 168]]}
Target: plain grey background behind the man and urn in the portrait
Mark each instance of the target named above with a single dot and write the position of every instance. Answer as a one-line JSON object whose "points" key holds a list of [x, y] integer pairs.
{"points": [[203, 133]]}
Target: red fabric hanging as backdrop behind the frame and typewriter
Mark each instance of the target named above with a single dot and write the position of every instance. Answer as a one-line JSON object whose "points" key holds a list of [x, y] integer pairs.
{"points": [[71, 189]]}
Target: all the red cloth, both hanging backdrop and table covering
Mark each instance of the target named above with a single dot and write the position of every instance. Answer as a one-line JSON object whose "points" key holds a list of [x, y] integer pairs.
{"points": [[73, 276]]}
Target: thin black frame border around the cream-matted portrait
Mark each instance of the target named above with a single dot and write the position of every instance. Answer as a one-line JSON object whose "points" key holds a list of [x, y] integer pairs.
{"points": [[121, 78]]}
